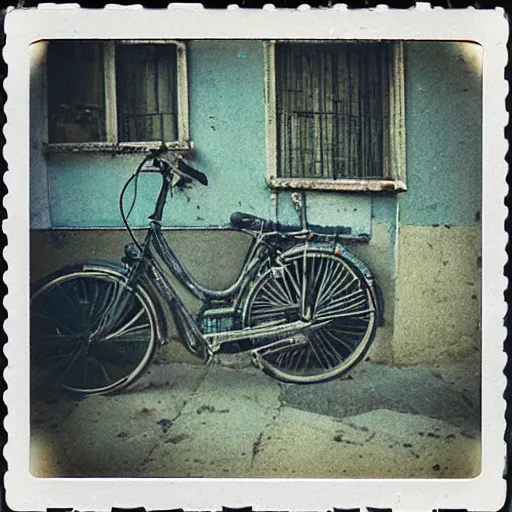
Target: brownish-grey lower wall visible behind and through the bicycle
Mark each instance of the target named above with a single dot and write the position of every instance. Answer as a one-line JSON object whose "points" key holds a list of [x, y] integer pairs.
{"points": [[214, 257]]}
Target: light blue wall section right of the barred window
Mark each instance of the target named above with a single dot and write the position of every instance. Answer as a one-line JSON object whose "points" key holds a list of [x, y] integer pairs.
{"points": [[443, 131]]}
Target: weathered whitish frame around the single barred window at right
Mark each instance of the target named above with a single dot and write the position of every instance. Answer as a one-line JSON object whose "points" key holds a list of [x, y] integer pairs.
{"points": [[397, 128]]}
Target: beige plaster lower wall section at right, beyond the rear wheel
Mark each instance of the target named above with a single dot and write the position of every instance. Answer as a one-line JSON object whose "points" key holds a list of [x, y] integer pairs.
{"points": [[438, 297]]}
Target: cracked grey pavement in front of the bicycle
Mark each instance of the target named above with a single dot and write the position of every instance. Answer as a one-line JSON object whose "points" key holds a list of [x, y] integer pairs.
{"points": [[183, 420]]}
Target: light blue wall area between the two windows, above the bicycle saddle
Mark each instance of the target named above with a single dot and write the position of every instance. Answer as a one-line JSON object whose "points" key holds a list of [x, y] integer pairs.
{"points": [[227, 119]]}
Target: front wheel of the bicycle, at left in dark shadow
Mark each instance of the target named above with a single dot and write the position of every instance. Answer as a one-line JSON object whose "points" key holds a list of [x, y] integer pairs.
{"points": [[90, 332]]}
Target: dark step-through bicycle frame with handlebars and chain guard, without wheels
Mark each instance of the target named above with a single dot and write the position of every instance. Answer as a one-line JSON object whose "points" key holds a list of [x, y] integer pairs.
{"points": [[157, 259]]}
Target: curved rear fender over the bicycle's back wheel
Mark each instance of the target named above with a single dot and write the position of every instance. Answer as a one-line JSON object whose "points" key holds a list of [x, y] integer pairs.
{"points": [[356, 264]]}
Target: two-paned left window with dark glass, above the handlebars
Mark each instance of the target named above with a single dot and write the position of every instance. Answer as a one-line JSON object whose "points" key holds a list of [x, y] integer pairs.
{"points": [[114, 93]]}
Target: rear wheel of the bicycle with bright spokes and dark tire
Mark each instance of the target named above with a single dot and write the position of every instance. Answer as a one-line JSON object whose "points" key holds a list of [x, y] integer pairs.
{"points": [[336, 294]]}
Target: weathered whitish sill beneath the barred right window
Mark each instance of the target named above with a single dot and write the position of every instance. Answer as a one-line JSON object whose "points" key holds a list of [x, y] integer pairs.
{"points": [[390, 186]]}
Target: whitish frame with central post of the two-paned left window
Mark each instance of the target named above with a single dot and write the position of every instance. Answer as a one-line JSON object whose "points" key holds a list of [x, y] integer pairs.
{"points": [[183, 145]]}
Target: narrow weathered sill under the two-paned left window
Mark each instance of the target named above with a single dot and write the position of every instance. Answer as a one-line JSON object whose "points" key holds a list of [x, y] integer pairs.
{"points": [[116, 148]]}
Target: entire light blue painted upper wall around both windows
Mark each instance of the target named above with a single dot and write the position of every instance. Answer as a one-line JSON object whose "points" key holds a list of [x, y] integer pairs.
{"points": [[227, 122]]}
